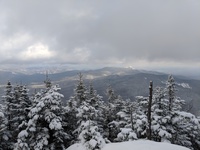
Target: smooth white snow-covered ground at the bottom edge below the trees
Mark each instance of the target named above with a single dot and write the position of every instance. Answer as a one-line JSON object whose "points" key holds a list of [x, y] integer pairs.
{"points": [[135, 145]]}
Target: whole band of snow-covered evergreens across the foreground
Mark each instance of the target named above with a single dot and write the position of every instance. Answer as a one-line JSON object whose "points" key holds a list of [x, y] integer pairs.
{"points": [[39, 120]]}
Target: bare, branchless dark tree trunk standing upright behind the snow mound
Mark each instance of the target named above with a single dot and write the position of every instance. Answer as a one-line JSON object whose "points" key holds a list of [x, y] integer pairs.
{"points": [[149, 110]]}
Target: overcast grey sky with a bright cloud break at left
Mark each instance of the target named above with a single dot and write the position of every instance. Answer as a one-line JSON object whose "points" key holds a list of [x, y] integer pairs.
{"points": [[138, 33]]}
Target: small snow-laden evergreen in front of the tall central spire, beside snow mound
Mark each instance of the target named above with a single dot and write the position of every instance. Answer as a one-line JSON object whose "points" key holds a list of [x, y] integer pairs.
{"points": [[88, 130]]}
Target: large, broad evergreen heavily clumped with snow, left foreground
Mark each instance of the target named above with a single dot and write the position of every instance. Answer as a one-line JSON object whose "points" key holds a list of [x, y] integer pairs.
{"points": [[44, 129]]}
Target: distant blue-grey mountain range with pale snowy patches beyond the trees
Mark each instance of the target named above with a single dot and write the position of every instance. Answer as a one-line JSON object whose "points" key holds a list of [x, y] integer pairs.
{"points": [[126, 82]]}
